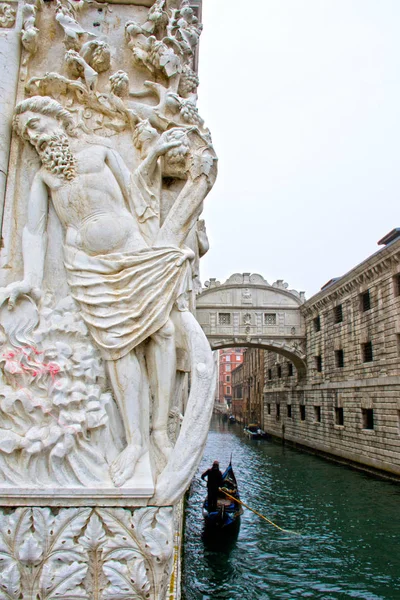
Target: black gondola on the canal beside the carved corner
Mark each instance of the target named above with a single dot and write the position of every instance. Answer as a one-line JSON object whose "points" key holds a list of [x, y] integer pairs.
{"points": [[227, 515]]}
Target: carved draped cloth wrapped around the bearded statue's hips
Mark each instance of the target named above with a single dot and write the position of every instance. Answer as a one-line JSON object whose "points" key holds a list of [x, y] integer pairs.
{"points": [[125, 297]]}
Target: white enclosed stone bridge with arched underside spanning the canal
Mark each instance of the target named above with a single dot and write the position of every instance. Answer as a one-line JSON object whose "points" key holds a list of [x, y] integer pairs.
{"points": [[247, 311]]}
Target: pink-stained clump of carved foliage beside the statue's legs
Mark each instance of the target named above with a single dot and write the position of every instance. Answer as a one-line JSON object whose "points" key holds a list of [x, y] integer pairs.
{"points": [[55, 409]]}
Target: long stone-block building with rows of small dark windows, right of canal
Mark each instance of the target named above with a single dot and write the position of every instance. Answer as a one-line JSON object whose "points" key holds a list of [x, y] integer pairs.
{"points": [[348, 404]]}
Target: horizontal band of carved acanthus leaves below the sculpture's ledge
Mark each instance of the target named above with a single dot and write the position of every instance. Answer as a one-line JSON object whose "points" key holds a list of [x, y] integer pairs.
{"points": [[80, 553]]}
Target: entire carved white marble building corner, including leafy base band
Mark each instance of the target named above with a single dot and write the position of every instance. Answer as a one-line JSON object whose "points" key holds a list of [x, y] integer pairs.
{"points": [[106, 173]]}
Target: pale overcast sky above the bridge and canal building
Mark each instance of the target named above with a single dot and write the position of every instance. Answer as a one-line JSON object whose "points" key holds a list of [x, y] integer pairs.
{"points": [[302, 98]]}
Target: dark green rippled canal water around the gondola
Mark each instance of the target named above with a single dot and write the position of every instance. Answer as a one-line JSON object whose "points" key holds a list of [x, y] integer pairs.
{"points": [[349, 525]]}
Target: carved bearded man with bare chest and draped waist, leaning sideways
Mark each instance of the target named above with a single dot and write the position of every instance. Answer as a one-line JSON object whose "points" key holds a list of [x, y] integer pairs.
{"points": [[125, 288]]}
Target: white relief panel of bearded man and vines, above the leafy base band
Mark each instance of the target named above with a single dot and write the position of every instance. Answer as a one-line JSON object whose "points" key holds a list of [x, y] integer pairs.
{"points": [[103, 239]]}
